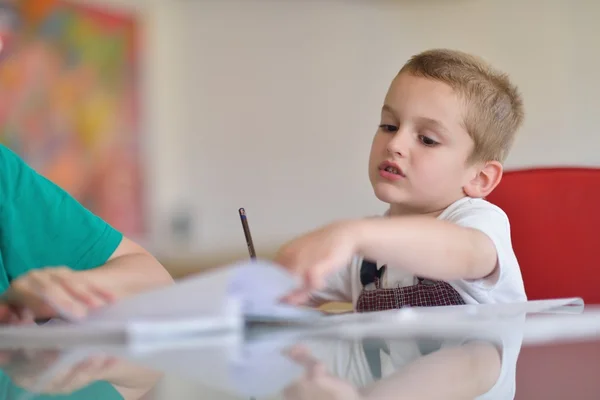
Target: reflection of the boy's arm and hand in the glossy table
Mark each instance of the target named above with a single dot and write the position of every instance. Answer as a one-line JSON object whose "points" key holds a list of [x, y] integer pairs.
{"points": [[461, 372]]}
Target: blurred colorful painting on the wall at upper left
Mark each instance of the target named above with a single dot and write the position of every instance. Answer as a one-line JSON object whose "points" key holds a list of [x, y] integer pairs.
{"points": [[69, 106]]}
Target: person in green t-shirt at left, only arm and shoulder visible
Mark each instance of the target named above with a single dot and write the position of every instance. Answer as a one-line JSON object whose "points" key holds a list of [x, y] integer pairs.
{"points": [[57, 259]]}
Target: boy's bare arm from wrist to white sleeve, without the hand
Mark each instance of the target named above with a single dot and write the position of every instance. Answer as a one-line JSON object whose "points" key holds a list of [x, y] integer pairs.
{"points": [[425, 246]]}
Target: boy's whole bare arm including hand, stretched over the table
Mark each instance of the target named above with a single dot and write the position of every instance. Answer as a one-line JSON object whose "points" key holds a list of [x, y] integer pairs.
{"points": [[425, 246]]}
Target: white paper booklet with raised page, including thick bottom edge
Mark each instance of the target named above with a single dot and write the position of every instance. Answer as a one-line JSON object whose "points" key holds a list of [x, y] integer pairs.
{"points": [[216, 300]]}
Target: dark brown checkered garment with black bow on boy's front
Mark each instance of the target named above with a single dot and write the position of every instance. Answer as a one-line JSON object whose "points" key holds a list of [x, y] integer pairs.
{"points": [[426, 293]]}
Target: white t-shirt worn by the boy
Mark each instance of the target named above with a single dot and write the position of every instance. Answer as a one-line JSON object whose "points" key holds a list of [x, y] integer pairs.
{"points": [[345, 286]]}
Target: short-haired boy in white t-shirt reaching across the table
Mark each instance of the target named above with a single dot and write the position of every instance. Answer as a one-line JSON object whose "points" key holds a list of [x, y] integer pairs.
{"points": [[447, 124]]}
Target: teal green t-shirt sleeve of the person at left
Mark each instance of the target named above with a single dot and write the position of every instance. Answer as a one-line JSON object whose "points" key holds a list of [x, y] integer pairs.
{"points": [[42, 225]]}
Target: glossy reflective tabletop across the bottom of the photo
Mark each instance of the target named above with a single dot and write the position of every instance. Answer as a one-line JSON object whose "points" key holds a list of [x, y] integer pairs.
{"points": [[533, 356]]}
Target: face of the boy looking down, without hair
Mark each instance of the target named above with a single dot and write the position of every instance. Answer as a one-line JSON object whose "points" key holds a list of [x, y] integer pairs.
{"points": [[418, 162]]}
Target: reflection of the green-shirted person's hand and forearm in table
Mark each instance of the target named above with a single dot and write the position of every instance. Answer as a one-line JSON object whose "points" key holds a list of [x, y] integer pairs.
{"points": [[26, 368]]}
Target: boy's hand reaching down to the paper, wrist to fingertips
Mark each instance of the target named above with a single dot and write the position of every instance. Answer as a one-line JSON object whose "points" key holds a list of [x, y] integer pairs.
{"points": [[317, 254]]}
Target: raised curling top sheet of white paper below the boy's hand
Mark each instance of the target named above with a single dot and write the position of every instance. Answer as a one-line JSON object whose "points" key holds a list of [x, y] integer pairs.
{"points": [[255, 285]]}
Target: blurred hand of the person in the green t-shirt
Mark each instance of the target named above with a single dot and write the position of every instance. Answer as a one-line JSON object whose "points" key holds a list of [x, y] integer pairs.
{"points": [[53, 292]]}
